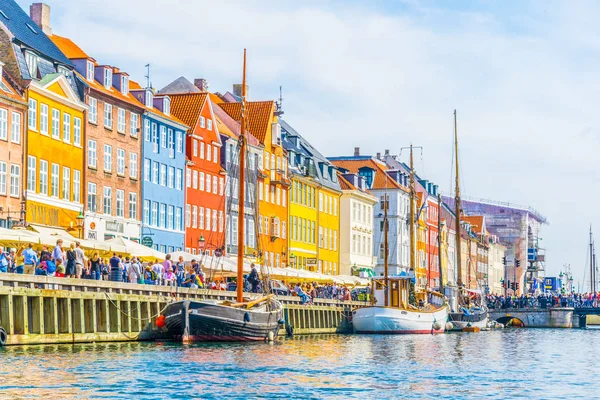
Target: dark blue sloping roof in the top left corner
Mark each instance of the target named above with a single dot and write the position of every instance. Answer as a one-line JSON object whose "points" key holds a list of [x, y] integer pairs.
{"points": [[26, 31]]}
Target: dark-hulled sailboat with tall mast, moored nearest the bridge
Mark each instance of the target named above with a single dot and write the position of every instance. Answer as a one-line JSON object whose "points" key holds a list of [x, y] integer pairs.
{"points": [[472, 312]]}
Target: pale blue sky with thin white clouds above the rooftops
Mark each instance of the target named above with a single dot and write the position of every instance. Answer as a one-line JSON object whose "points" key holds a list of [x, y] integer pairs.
{"points": [[383, 74]]}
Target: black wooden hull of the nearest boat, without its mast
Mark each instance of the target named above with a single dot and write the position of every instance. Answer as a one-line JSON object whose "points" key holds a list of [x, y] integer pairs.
{"points": [[201, 321]]}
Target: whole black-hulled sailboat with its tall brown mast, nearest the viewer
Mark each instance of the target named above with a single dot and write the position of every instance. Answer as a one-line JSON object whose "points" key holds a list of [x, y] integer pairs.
{"points": [[223, 320]]}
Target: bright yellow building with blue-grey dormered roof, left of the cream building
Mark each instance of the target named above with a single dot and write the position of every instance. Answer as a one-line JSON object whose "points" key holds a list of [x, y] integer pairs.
{"points": [[314, 206]]}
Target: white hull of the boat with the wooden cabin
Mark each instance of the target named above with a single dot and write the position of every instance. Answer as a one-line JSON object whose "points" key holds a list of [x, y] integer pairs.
{"points": [[388, 320]]}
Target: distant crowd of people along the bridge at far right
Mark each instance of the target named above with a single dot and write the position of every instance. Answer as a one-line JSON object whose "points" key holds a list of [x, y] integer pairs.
{"points": [[544, 300]]}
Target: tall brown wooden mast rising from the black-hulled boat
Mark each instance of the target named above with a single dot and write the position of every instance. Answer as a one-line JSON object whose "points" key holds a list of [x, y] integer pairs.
{"points": [[241, 197]]}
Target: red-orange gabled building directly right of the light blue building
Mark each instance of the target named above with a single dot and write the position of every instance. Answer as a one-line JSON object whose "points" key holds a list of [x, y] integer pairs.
{"points": [[205, 179]]}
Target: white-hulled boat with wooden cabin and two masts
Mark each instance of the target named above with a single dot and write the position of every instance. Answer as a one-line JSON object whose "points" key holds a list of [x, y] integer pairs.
{"points": [[399, 307]]}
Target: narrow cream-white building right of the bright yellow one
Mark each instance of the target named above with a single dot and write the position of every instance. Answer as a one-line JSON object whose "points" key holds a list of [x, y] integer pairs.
{"points": [[356, 224]]}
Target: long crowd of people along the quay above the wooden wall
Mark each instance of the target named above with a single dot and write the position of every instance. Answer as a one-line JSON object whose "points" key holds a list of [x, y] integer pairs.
{"points": [[72, 262]]}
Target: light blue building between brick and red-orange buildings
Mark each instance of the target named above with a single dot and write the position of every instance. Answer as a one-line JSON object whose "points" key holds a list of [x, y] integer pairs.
{"points": [[163, 154]]}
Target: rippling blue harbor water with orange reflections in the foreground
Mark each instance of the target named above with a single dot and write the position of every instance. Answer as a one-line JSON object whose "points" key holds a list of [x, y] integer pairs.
{"points": [[510, 363]]}
